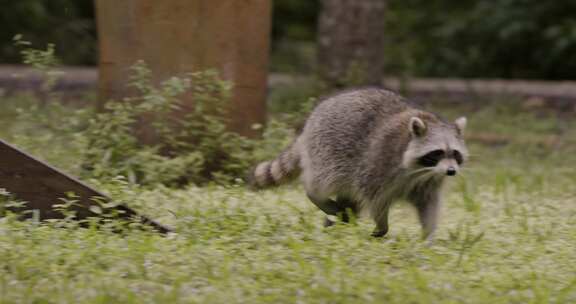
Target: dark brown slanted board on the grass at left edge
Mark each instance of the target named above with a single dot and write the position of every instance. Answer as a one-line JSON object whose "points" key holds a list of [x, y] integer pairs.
{"points": [[42, 186]]}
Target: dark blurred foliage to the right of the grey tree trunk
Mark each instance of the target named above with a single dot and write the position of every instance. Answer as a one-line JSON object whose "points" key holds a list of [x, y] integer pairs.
{"points": [[494, 39]]}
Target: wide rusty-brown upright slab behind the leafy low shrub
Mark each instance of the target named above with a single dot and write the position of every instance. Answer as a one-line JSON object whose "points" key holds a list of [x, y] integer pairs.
{"points": [[175, 37]]}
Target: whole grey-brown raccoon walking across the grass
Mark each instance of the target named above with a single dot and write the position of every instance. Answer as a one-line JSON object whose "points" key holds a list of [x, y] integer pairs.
{"points": [[362, 150]]}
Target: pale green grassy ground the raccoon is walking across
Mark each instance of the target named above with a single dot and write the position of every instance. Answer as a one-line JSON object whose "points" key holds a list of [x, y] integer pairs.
{"points": [[507, 234]]}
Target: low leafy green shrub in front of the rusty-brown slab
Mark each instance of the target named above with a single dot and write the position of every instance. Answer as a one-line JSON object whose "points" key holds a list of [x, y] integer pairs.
{"points": [[194, 147]]}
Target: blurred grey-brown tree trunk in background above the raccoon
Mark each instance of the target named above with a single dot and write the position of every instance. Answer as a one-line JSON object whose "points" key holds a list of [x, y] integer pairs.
{"points": [[351, 41]]}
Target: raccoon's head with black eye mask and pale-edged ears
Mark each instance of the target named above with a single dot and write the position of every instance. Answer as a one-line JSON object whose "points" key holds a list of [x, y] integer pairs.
{"points": [[436, 146]]}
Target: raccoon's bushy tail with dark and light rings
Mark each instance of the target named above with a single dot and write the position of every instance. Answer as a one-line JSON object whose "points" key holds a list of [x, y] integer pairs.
{"points": [[275, 172]]}
